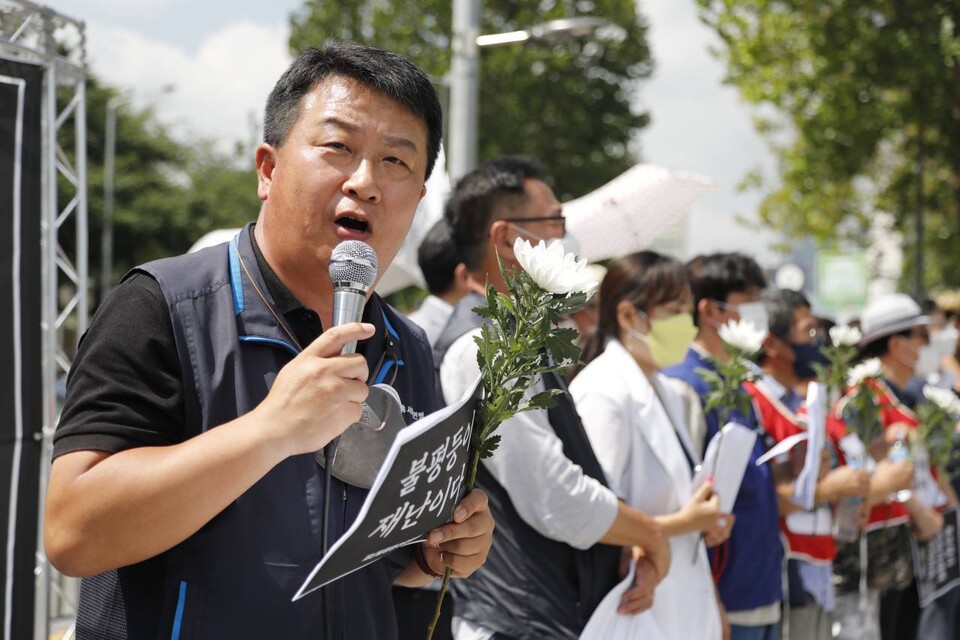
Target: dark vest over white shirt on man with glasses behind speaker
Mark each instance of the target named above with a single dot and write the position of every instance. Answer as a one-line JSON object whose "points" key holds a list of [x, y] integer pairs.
{"points": [[532, 587]]}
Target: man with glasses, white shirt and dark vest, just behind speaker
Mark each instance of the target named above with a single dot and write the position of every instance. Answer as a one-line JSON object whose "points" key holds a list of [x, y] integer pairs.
{"points": [[560, 528]]}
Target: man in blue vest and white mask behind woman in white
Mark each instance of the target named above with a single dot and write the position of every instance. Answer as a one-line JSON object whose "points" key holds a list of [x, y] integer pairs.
{"points": [[726, 287]]}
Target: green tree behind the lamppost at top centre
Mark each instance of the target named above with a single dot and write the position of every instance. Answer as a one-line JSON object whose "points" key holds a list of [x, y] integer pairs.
{"points": [[567, 103]]}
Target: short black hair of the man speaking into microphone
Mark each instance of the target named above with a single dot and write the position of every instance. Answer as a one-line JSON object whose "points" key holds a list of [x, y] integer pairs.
{"points": [[387, 73]]}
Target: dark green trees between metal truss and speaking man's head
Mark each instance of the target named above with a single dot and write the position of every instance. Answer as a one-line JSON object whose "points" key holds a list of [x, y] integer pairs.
{"points": [[166, 194]]}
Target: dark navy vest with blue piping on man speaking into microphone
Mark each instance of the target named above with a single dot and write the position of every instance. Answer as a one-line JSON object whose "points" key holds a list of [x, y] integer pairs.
{"points": [[236, 576]]}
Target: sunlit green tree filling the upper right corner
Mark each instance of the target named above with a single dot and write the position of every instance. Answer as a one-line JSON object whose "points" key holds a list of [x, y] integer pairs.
{"points": [[855, 96]]}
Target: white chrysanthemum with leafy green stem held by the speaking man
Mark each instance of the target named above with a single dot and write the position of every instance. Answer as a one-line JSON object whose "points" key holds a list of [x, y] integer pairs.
{"points": [[520, 342]]}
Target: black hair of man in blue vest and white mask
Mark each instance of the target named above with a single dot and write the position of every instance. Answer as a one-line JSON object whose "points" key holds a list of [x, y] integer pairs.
{"points": [[716, 276]]}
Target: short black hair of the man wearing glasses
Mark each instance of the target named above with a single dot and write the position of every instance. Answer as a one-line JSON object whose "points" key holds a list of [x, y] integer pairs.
{"points": [[479, 195]]}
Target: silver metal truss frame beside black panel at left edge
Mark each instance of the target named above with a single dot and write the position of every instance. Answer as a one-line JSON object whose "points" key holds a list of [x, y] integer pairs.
{"points": [[37, 34]]}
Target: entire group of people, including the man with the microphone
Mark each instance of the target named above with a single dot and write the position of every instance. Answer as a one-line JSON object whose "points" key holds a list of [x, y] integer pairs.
{"points": [[185, 488]]}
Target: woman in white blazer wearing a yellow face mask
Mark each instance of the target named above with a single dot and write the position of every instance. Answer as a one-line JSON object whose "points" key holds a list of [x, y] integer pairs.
{"points": [[635, 421]]}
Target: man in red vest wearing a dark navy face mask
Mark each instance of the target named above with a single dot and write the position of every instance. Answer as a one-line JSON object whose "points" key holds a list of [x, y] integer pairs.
{"points": [[787, 359]]}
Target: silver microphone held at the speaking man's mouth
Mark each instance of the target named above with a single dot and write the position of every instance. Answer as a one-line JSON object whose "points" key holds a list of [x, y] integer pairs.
{"points": [[353, 270]]}
